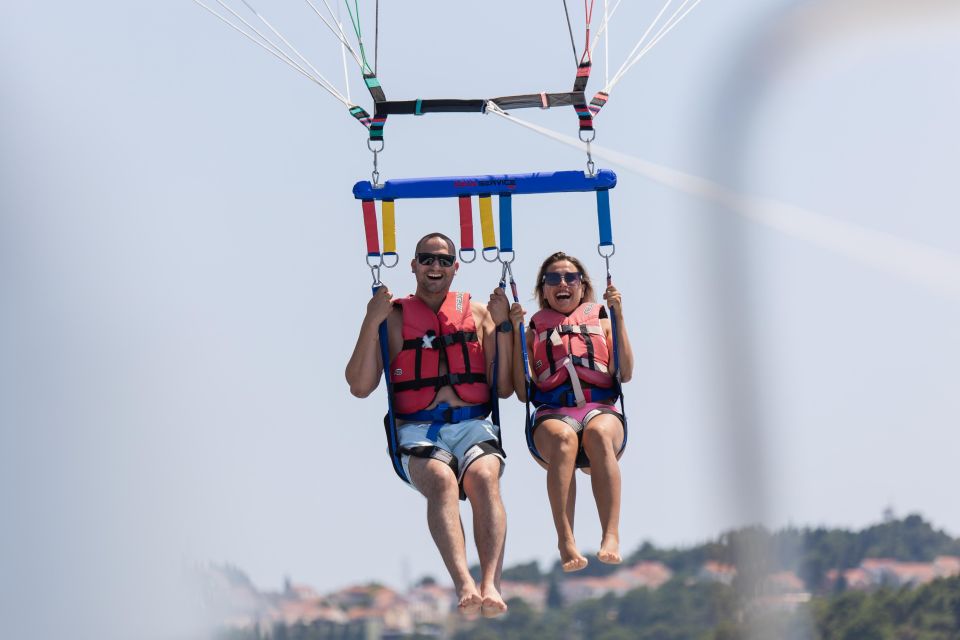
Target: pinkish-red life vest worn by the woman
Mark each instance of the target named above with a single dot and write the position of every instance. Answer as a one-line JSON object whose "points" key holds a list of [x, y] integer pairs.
{"points": [[570, 351]]}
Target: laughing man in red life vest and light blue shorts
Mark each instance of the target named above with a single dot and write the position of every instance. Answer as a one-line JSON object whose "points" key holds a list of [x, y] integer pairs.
{"points": [[442, 348]]}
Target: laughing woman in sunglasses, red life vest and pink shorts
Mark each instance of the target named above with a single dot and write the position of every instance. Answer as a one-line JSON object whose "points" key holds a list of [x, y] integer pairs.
{"points": [[574, 387]]}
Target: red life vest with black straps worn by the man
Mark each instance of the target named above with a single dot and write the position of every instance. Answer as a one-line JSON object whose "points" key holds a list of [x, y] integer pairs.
{"points": [[415, 371]]}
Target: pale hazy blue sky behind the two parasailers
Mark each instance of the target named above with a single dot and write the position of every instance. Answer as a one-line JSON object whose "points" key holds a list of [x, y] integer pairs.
{"points": [[182, 277]]}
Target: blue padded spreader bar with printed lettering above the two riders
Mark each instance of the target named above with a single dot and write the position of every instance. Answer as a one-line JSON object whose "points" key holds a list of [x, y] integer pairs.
{"points": [[519, 183]]}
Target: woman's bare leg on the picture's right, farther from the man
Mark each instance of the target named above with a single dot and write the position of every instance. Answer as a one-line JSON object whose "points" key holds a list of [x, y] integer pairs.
{"points": [[602, 438]]}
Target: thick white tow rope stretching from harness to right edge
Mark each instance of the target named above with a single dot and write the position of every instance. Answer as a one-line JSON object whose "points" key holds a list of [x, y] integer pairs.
{"points": [[934, 268]]}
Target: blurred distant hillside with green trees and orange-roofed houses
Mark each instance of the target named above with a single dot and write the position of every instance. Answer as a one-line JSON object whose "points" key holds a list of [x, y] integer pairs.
{"points": [[898, 579]]}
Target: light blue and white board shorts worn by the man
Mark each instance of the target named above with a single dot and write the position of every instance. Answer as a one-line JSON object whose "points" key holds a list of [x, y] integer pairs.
{"points": [[458, 444]]}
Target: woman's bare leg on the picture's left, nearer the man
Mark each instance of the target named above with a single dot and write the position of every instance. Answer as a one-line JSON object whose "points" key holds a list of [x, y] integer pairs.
{"points": [[557, 443]]}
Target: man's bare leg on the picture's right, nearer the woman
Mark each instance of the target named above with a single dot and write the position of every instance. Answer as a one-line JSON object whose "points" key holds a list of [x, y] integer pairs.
{"points": [[481, 483]]}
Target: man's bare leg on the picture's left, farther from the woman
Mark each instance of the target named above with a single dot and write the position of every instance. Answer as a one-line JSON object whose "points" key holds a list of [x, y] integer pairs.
{"points": [[437, 482]]}
